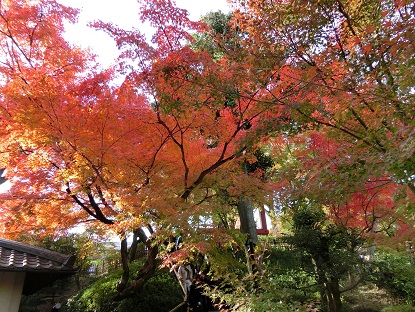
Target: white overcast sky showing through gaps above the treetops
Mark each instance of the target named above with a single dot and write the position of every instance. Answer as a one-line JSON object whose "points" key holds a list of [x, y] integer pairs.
{"points": [[123, 13]]}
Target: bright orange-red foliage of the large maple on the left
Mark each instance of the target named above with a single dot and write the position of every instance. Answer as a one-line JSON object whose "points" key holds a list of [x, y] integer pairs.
{"points": [[79, 149]]}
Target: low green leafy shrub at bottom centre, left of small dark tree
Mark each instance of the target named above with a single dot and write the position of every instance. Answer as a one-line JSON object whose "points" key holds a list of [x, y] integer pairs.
{"points": [[281, 285]]}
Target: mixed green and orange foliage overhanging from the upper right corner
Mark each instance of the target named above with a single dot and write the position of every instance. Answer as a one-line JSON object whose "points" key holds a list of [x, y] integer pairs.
{"points": [[345, 62]]}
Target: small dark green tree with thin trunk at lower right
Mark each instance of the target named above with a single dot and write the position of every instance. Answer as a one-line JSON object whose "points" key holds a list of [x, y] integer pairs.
{"points": [[333, 251]]}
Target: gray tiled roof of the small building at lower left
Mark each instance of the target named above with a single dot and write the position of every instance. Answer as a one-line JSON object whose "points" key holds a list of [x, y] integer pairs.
{"points": [[15, 256]]}
